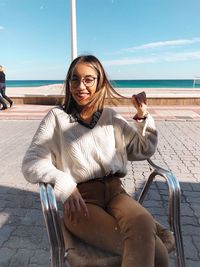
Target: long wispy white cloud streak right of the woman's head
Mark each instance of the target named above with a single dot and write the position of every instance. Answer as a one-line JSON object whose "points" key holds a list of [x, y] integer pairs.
{"points": [[160, 51]]}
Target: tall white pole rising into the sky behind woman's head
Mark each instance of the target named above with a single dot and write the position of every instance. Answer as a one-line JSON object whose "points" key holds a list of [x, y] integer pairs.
{"points": [[73, 30]]}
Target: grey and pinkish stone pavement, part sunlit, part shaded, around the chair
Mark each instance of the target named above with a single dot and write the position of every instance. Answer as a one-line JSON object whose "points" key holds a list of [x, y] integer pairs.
{"points": [[23, 237]]}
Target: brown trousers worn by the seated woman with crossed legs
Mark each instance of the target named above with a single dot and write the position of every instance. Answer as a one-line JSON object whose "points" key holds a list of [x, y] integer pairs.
{"points": [[119, 224]]}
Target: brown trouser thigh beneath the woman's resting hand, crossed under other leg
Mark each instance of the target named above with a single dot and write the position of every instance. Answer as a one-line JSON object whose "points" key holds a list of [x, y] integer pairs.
{"points": [[100, 230]]}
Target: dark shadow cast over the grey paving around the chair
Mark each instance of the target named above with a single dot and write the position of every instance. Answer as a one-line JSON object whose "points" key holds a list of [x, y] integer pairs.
{"points": [[23, 237]]}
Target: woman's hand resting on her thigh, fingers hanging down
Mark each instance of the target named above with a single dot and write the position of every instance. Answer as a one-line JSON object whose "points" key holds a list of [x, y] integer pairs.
{"points": [[74, 206]]}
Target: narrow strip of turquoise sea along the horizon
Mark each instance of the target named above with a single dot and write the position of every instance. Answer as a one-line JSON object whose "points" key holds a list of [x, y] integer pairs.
{"points": [[116, 83]]}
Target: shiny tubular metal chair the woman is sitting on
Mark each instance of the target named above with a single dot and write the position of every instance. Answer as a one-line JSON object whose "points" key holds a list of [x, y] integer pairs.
{"points": [[68, 251]]}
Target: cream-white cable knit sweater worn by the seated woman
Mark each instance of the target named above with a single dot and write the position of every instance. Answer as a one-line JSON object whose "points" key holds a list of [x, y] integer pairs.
{"points": [[65, 153]]}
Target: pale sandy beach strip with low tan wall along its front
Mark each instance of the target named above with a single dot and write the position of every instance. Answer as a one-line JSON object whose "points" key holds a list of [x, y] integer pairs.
{"points": [[54, 93]]}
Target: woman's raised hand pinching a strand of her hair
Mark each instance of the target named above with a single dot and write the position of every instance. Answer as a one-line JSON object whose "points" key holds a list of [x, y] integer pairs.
{"points": [[140, 103]]}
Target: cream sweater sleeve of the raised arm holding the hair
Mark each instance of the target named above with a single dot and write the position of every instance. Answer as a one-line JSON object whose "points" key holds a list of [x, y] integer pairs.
{"points": [[140, 138]]}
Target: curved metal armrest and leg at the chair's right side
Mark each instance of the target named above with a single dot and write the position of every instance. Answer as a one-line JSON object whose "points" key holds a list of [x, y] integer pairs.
{"points": [[174, 205]]}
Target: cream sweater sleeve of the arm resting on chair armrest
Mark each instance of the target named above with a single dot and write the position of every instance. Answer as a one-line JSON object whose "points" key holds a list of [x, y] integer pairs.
{"points": [[39, 163]]}
